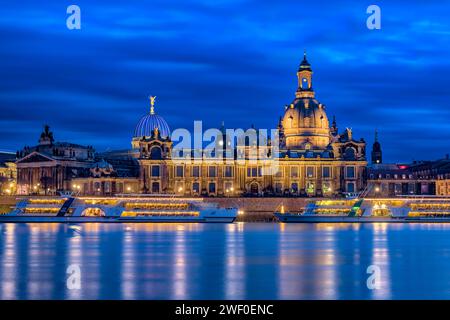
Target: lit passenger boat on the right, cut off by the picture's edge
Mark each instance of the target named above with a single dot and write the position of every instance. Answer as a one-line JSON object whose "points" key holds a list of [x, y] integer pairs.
{"points": [[409, 209]]}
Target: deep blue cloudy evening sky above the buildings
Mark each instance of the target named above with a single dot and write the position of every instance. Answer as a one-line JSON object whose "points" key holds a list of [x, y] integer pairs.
{"points": [[234, 61]]}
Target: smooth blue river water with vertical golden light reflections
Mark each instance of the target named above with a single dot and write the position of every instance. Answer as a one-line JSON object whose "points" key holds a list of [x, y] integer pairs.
{"points": [[224, 261]]}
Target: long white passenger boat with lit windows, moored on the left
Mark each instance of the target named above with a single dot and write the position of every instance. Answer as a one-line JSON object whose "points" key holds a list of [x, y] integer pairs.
{"points": [[118, 209]]}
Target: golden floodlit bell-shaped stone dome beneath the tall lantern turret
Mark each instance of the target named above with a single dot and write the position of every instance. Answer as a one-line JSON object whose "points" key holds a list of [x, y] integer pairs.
{"points": [[305, 122]]}
